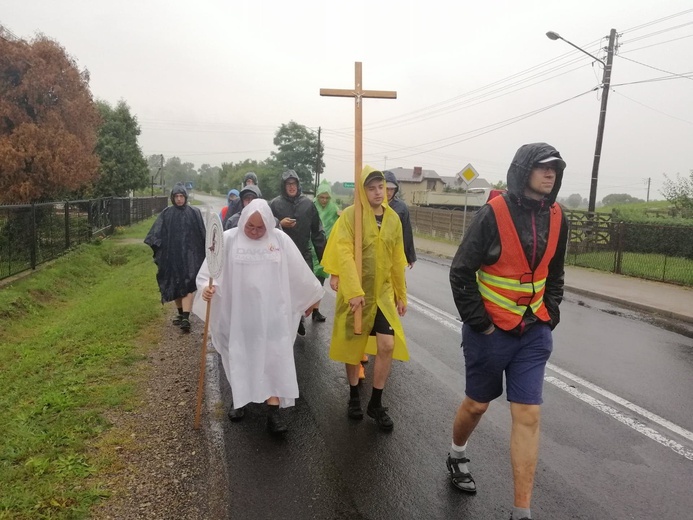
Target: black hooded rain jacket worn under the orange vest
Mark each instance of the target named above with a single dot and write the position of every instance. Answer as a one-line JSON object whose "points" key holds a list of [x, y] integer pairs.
{"points": [[481, 243]]}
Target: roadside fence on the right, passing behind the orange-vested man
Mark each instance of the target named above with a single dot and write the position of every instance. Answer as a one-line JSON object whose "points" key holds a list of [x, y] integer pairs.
{"points": [[651, 251]]}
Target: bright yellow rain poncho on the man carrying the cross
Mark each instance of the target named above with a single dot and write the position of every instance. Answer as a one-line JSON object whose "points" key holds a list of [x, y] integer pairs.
{"points": [[383, 279]]}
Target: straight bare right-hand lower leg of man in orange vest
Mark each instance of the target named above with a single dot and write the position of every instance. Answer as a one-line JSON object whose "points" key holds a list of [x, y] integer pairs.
{"points": [[524, 450]]}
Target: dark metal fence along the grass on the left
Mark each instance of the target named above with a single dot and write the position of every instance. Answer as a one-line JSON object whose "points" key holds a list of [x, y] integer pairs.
{"points": [[31, 234]]}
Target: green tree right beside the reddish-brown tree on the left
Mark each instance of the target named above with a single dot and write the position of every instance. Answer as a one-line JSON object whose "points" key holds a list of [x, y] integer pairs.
{"points": [[123, 168]]}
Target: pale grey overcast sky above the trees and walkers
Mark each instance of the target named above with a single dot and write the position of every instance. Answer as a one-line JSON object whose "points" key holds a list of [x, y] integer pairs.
{"points": [[211, 81]]}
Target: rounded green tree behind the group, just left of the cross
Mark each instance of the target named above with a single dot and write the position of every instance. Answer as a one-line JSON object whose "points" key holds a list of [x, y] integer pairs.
{"points": [[298, 151]]}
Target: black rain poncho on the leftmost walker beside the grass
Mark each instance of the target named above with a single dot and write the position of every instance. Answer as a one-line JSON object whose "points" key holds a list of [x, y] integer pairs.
{"points": [[177, 239]]}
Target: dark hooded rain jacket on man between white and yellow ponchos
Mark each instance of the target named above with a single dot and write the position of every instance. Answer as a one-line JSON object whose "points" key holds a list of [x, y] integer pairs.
{"points": [[308, 227]]}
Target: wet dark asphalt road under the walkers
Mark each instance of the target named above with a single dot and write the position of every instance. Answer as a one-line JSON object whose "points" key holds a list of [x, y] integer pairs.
{"points": [[616, 426]]}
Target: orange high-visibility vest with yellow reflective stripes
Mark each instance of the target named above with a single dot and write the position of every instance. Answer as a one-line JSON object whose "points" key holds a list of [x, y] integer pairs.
{"points": [[509, 286]]}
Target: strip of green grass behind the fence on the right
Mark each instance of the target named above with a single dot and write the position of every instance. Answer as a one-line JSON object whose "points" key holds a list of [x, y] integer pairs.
{"points": [[641, 265]]}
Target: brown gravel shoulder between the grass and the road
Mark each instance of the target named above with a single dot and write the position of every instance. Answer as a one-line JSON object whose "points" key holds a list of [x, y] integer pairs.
{"points": [[162, 467]]}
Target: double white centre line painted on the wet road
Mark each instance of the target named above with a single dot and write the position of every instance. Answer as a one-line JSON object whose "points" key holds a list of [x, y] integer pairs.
{"points": [[451, 322]]}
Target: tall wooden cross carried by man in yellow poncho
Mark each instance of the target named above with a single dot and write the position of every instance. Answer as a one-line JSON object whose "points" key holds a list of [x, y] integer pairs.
{"points": [[358, 94]]}
